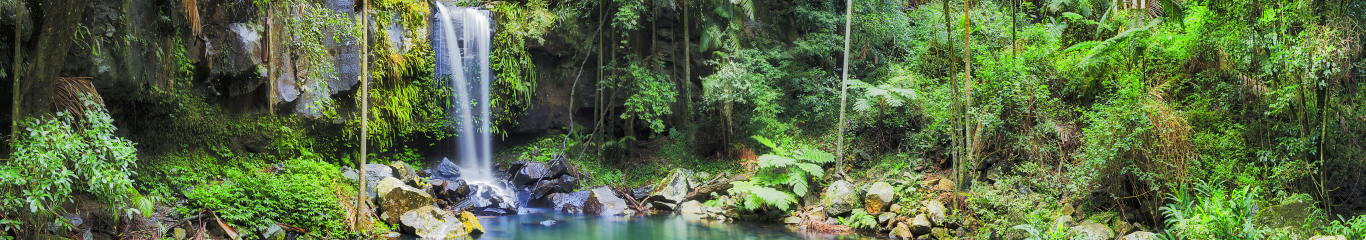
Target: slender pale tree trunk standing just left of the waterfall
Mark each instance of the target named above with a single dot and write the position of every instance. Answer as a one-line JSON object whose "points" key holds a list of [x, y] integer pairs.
{"points": [[365, 112]]}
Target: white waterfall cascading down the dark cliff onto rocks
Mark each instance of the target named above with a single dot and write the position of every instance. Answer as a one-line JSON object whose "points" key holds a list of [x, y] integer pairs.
{"points": [[464, 58]]}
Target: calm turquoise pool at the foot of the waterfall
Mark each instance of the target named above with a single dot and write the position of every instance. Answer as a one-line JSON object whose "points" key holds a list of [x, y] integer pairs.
{"points": [[648, 228]]}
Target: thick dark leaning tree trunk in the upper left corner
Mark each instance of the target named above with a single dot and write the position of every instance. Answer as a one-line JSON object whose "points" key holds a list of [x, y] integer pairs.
{"points": [[51, 55]]}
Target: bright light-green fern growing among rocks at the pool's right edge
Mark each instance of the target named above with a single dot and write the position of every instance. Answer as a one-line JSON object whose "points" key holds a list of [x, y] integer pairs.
{"points": [[790, 166]]}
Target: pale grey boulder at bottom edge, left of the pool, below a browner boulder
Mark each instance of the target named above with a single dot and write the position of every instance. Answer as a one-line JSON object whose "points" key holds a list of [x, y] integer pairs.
{"points": [[431, 223]]}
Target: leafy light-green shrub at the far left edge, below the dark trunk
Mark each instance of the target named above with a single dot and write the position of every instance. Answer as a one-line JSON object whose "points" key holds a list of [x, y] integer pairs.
{"points": [[58, 157]]}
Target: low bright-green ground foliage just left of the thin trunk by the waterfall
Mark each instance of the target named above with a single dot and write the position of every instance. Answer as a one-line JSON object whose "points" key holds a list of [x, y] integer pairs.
{"points": [[304, 193]]}
